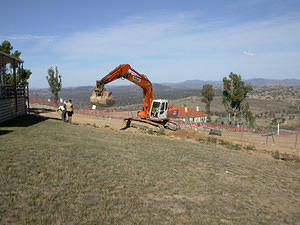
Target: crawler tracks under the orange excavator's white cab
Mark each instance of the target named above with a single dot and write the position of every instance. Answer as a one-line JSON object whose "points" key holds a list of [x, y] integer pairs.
{"points": [[171, 125]]}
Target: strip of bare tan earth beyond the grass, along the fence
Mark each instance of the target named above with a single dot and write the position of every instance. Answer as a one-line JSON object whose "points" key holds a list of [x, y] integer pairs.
{"points": [[250, 141]]}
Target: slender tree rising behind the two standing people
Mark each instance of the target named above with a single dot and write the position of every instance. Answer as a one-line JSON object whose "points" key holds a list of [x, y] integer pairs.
{"points": [[54, 81]]}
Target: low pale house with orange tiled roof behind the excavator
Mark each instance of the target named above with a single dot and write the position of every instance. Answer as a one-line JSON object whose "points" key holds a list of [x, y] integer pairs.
{"points": [[186, 115]]}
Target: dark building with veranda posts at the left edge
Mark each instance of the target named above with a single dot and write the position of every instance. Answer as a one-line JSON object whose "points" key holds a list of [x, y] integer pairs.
{"points": [[12, 96]]}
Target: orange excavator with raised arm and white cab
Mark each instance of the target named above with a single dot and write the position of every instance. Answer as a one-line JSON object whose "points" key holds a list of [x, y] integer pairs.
{"points": [[155, 111]]}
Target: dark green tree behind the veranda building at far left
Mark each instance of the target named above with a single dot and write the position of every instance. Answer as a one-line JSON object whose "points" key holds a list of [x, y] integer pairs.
{"points": [[22, 74]]}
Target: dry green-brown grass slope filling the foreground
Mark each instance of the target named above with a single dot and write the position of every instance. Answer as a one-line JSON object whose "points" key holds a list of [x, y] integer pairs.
{"points": [[57, 173]]}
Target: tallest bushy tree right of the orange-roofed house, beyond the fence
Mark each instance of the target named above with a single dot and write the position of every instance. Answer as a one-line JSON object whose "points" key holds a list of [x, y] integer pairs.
{"points": [[234, 94]]}
